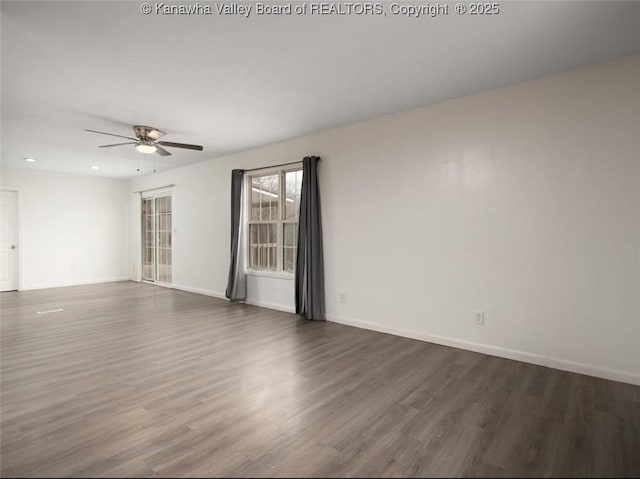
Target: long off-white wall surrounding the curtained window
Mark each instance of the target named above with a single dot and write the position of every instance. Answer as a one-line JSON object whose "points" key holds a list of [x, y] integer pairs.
{"points": [[520, 201]]}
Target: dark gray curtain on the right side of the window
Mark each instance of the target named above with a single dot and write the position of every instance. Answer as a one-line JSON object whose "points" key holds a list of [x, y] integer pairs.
{"points": [[310, 260]]}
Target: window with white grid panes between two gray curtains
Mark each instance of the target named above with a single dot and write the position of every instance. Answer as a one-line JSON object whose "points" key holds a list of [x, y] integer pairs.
{"points": [[274, 206]]}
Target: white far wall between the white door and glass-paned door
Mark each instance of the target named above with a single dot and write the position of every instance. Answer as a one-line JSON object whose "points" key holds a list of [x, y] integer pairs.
{"points": [[73, 229]]}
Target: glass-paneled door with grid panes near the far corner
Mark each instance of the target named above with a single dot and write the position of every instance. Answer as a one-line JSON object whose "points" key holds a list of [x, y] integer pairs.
{"points": [[156, 239]]}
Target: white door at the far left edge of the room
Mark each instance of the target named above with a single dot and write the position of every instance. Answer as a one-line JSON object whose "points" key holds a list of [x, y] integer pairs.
{"points": [[9, 241]]}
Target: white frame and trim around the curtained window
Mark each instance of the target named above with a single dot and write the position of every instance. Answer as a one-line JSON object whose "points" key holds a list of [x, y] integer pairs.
{"points": [[277, 273]]}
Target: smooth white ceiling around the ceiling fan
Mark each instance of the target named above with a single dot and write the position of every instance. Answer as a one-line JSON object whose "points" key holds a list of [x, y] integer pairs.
{"points": [[232, 83]]}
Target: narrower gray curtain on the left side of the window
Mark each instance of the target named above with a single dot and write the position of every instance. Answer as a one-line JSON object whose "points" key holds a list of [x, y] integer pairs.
{"points": [[237, 282]]}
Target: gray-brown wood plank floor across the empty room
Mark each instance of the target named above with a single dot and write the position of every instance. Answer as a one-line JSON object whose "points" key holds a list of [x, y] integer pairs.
{"points": [[136, 380]]}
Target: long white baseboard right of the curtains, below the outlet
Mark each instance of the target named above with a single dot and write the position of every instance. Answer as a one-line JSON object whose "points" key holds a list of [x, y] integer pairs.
{"points": [[556, 363]]}
